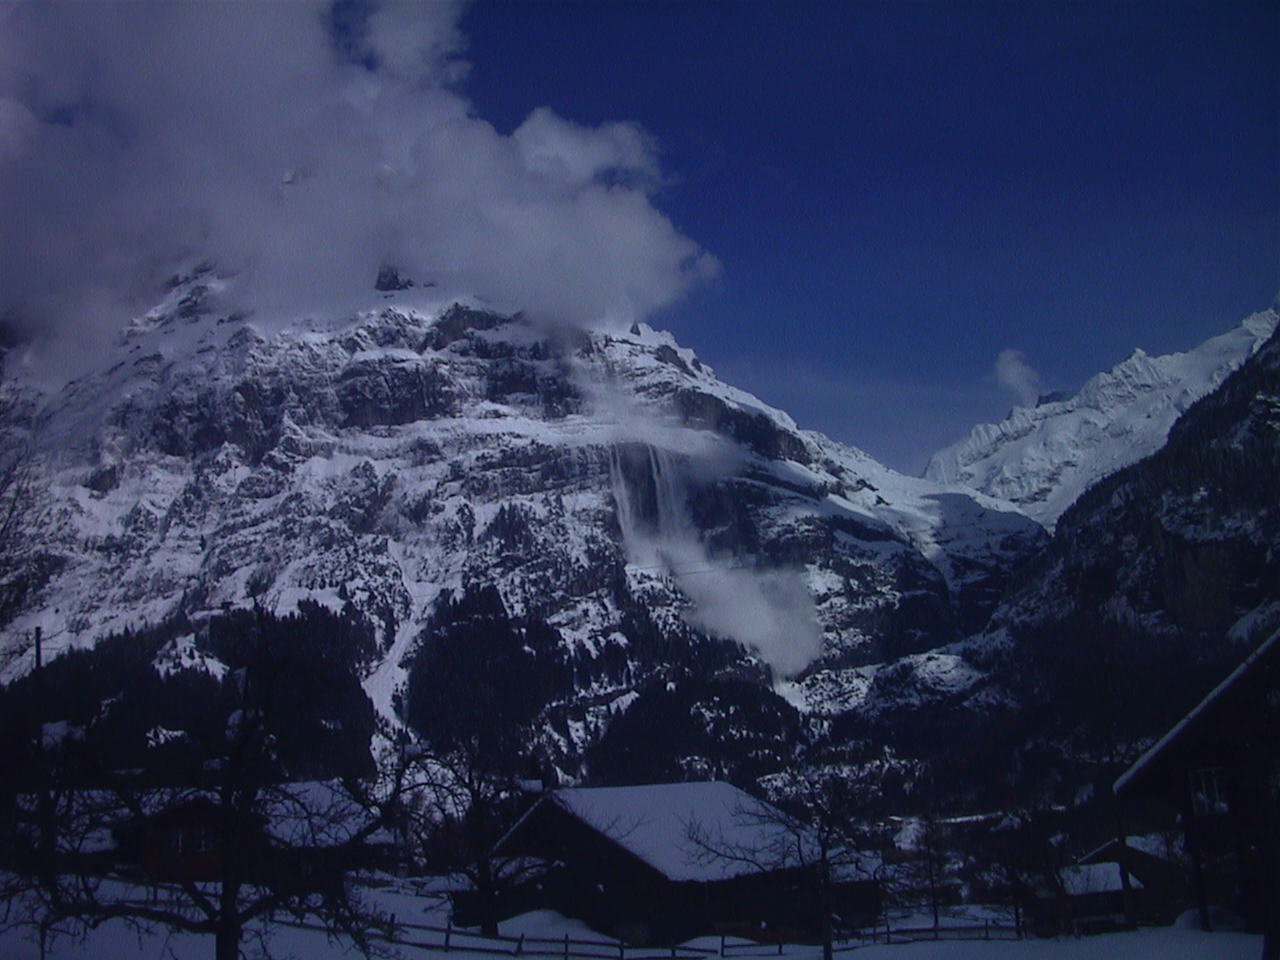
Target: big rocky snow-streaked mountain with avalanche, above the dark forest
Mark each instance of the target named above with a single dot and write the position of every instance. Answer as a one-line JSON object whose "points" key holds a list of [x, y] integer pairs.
{"points": [[609, 486]]}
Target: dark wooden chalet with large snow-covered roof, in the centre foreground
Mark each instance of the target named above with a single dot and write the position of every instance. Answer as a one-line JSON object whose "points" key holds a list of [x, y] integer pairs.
{"points": [[666, 862]]}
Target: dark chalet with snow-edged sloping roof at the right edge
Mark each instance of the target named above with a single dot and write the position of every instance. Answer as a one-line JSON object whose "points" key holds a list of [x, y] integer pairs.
{"points": [[1219, 769]]}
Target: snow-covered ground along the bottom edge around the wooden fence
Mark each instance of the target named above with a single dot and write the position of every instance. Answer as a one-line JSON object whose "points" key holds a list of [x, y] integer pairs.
{"points": [[116, 941]]}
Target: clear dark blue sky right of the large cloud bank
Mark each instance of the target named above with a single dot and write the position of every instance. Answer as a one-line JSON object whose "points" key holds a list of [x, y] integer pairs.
{"points": [[900, 191]]}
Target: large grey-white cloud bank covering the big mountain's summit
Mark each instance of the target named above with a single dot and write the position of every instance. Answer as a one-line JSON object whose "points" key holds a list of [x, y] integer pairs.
{"points": [[303, 148]]}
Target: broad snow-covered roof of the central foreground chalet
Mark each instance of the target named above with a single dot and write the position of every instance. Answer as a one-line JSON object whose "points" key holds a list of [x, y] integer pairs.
{"points": [[707, 831]]}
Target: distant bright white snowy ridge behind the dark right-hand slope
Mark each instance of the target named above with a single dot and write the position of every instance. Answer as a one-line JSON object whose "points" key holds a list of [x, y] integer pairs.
{"points": [[1044, 458]]}
